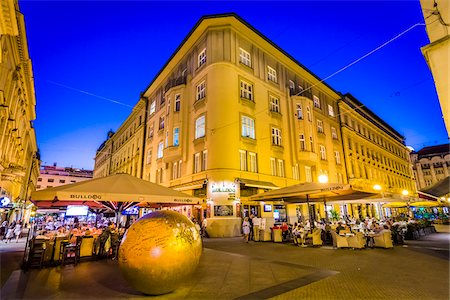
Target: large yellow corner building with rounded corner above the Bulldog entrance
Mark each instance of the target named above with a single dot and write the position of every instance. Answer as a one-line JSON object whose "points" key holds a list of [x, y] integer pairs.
{"points": [[231, 115]]}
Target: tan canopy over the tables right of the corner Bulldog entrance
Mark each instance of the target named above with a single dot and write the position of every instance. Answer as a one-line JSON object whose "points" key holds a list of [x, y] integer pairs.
{"points": [[313, 191]]}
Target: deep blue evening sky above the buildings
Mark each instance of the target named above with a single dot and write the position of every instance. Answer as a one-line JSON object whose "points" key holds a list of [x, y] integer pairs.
{"points": [[84, 53]]}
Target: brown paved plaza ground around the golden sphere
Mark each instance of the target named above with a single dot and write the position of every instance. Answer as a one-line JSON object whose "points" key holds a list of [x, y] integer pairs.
{"points": [[233, 269]]}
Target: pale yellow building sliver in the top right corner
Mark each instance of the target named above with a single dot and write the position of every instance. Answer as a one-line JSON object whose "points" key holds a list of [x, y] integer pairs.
{"points": [[437, 53]]}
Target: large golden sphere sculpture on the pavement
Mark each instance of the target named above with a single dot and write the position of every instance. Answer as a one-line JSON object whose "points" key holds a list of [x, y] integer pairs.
{"points": [[159, 251]]}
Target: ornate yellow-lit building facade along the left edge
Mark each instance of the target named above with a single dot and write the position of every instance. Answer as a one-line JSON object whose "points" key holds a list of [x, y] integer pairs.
{"points": [[19, 156]]}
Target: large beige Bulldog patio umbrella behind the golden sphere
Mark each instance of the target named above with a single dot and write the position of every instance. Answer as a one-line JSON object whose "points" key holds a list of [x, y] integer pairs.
{"points": [[117, 192]]}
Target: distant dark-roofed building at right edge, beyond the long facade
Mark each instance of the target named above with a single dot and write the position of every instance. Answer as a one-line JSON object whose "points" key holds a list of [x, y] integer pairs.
{"points": [[430, 165]]}
